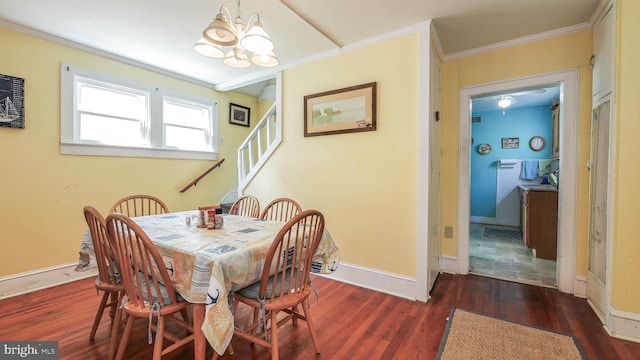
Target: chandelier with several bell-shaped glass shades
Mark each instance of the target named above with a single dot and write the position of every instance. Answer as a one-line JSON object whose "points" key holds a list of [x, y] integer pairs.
{"points": [[242, 39]]}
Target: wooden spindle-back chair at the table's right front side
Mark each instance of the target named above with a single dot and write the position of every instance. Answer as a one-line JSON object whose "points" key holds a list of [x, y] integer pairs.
{"points": [[289, 258]]}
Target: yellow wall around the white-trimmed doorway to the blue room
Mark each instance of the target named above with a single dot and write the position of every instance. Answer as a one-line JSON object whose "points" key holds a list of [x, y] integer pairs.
{"points": [[560, 53]]}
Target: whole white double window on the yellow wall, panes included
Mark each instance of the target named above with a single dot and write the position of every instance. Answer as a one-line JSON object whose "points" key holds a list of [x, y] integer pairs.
{"points": [[106, 115]]}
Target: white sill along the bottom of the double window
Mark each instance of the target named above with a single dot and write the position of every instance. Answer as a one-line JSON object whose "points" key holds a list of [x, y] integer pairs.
{"points": [[106, 150]]}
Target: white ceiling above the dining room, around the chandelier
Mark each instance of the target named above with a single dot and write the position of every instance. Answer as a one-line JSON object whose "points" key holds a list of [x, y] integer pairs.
{"points": [[160, 33]]}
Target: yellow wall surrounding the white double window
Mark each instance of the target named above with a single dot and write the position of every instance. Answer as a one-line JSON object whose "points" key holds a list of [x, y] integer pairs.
{"points": [[42, 193]]}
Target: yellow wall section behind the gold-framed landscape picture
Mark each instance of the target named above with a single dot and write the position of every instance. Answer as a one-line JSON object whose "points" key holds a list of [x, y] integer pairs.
{"points": [[364, 183]]}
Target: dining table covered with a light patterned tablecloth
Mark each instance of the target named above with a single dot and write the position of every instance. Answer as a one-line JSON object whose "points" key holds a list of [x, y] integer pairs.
{"points": [[208, 265]]}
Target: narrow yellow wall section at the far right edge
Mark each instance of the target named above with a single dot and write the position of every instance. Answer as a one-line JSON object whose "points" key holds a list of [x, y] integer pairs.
{"points": [[626, 193]]}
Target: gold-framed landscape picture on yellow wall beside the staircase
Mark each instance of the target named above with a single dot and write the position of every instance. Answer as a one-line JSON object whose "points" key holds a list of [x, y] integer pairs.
{"points": [[351, 109]]}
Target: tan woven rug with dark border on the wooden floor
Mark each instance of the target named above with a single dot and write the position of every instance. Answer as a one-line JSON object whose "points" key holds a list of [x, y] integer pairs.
{"points": [[473, 336]]}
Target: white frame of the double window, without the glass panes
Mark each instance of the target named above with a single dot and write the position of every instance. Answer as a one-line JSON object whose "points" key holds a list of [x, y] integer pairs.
{"points": [[70, 143]]}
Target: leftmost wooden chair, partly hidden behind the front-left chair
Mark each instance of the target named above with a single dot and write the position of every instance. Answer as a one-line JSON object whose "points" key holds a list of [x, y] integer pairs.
{"points": [[108, 280]]}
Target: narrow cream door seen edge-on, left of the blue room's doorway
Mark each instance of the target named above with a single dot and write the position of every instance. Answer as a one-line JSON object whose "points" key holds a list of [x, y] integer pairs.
{"points": [[433, 262]]}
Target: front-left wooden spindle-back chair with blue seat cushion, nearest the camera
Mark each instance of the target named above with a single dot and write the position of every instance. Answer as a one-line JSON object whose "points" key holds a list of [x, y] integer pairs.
{"points": [[148, 287]]}
